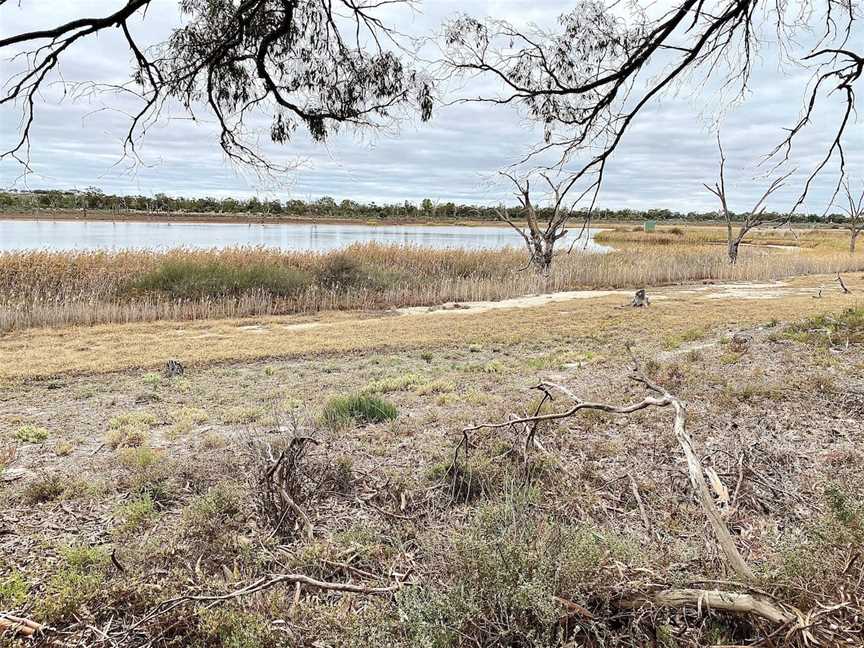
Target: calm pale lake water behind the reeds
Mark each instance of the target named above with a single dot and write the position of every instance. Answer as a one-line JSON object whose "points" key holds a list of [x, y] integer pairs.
{"points": [[106, 235]]}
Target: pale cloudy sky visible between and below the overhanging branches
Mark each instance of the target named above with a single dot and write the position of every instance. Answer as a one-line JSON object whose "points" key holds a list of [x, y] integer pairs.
{"points": [[662, 162]]}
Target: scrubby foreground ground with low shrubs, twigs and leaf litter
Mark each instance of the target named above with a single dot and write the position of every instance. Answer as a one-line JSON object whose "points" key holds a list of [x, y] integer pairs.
{"points": [[321, 501]]}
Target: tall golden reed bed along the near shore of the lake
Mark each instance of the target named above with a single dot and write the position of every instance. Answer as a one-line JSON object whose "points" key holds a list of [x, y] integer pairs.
{"points": [[40, 288]]}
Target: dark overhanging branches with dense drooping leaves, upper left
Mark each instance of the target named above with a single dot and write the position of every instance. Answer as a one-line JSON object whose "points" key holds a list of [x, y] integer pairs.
{"points": [[318, 64]]}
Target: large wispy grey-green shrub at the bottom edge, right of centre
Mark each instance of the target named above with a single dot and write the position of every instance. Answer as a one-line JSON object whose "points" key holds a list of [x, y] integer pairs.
{"points": [[503, 573]]}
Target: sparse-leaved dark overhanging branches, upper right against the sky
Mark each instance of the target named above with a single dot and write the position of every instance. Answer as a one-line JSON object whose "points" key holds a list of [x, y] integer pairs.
{"points": [[587, 82]]}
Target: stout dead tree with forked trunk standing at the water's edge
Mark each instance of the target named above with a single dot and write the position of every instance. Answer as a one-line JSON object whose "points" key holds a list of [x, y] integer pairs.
{"points": [[542, 232]]}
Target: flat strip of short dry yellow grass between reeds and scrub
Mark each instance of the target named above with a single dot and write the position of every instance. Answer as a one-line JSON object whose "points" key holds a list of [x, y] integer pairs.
{"points": [[42, 353]]}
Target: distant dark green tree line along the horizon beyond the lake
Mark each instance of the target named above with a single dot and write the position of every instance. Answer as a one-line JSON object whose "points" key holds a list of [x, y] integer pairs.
{"points": [[97, 200]]}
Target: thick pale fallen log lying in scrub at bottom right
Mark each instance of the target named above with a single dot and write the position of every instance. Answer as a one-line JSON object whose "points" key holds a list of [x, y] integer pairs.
{"points": [[714, 600]]}
